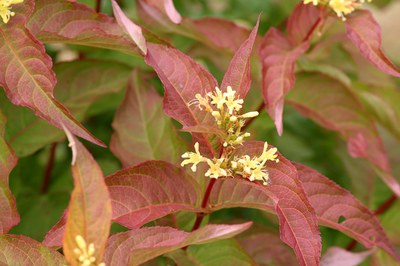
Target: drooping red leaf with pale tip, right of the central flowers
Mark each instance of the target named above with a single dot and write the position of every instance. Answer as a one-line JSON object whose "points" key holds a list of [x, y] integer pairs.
{"points": [[278, 59]]}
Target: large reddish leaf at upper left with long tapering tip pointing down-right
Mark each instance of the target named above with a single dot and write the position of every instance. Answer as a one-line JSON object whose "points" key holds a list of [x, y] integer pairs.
{"points": [[28, 80]]}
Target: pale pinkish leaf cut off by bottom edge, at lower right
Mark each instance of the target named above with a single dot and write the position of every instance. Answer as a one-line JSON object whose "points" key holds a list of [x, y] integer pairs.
{"points": [[338, 256]]}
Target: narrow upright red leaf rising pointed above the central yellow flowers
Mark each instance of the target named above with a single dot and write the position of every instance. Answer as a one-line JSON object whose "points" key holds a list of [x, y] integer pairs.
{"points": [[238, 73]]}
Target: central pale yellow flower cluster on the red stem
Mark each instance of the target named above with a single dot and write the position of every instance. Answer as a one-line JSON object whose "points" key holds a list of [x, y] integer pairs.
{"points": [[225, 108]]}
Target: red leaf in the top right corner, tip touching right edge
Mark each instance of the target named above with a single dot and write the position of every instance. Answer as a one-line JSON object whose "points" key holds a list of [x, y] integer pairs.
{"points": [[365, 33]]}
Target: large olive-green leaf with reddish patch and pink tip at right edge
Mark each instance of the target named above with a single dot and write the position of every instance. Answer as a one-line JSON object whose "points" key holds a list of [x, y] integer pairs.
{"points": [[334, 106]]}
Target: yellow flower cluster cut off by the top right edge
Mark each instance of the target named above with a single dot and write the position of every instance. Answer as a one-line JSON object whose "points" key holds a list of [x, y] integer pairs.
{"points": [[341, 7]]}
